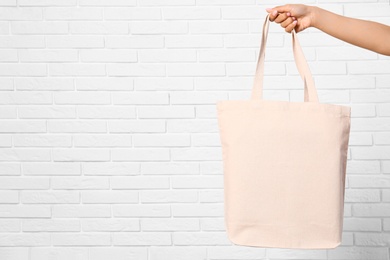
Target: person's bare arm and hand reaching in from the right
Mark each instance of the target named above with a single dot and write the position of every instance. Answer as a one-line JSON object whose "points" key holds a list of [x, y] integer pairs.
{"points": [[366, 34]]}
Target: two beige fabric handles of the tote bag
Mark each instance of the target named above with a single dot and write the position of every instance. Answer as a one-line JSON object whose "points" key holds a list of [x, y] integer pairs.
{"points": [[300, 61]]}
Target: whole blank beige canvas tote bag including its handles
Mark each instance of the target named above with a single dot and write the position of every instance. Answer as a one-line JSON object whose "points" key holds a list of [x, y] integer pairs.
{"points": [[284, 165]]}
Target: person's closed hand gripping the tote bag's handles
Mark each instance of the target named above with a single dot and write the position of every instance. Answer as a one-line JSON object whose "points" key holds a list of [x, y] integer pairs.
{"points": [[292, 16]]}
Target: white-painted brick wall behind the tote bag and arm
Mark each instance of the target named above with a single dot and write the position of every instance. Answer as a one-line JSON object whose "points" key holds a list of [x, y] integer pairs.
{"points": [[109, 139]]}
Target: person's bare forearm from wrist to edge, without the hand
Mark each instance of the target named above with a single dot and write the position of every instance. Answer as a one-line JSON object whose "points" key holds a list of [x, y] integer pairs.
{"points": [[366, 34]]}
